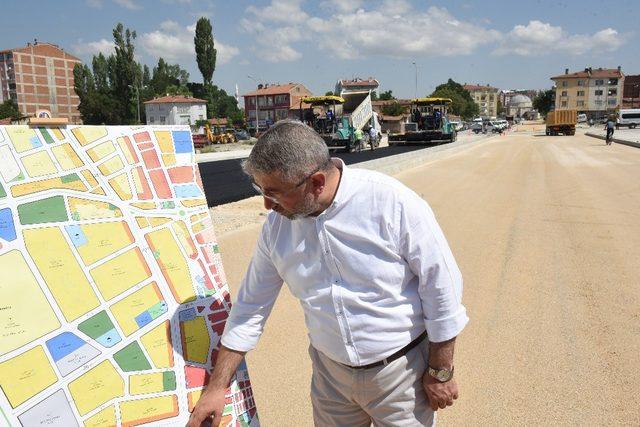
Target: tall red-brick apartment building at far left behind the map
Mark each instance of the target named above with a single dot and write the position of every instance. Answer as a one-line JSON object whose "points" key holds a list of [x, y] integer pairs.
{"points": [[40, 77]]}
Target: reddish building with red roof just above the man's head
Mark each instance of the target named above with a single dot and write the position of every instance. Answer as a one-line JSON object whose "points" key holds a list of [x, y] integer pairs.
{"points": [[273, 102]]}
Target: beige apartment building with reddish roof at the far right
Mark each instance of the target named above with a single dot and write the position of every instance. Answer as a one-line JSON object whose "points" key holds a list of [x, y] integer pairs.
{"points": [[594, 91]]}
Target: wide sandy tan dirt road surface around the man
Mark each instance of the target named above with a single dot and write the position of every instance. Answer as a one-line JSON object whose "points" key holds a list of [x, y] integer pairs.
{"points": [[546, 231]]}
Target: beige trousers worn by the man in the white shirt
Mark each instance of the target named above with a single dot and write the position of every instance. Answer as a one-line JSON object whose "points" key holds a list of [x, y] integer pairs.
{"points": [[389, 395]]}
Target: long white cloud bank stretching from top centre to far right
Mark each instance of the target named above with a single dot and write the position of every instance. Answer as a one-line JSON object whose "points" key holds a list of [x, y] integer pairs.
{"points": [[394, 28]]}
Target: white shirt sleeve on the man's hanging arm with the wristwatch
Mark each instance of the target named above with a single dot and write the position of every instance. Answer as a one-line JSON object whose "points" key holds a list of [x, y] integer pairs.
{"points": [[427, 252]]}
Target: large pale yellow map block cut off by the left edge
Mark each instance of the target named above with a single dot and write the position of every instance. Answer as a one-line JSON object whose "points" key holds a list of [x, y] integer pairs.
{"points": [[25, 314]]}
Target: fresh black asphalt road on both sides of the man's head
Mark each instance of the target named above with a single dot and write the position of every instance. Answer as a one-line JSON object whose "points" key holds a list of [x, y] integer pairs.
{"points": [[224, 181]]}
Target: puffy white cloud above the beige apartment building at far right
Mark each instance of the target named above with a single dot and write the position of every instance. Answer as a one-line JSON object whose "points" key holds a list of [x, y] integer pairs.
{"points": [[538, 38]]}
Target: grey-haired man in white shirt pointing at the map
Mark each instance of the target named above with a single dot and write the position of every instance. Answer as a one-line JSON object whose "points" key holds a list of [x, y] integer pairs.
{"points": [[380, 289]]}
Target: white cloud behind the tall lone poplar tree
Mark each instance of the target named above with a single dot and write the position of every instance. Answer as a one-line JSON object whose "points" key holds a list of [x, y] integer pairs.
{"points": [[173, 42]]}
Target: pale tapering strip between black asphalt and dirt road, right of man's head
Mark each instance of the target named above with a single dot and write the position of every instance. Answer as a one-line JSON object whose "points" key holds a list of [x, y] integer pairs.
{"points": [[400, 162]]}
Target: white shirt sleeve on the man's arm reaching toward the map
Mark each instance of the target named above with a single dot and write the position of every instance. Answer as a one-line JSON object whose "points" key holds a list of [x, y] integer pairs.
{"points": [[258, 292]]}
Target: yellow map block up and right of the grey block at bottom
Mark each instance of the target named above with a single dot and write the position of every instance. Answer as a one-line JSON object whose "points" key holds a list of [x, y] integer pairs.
{"points": [[99, 385]]}
